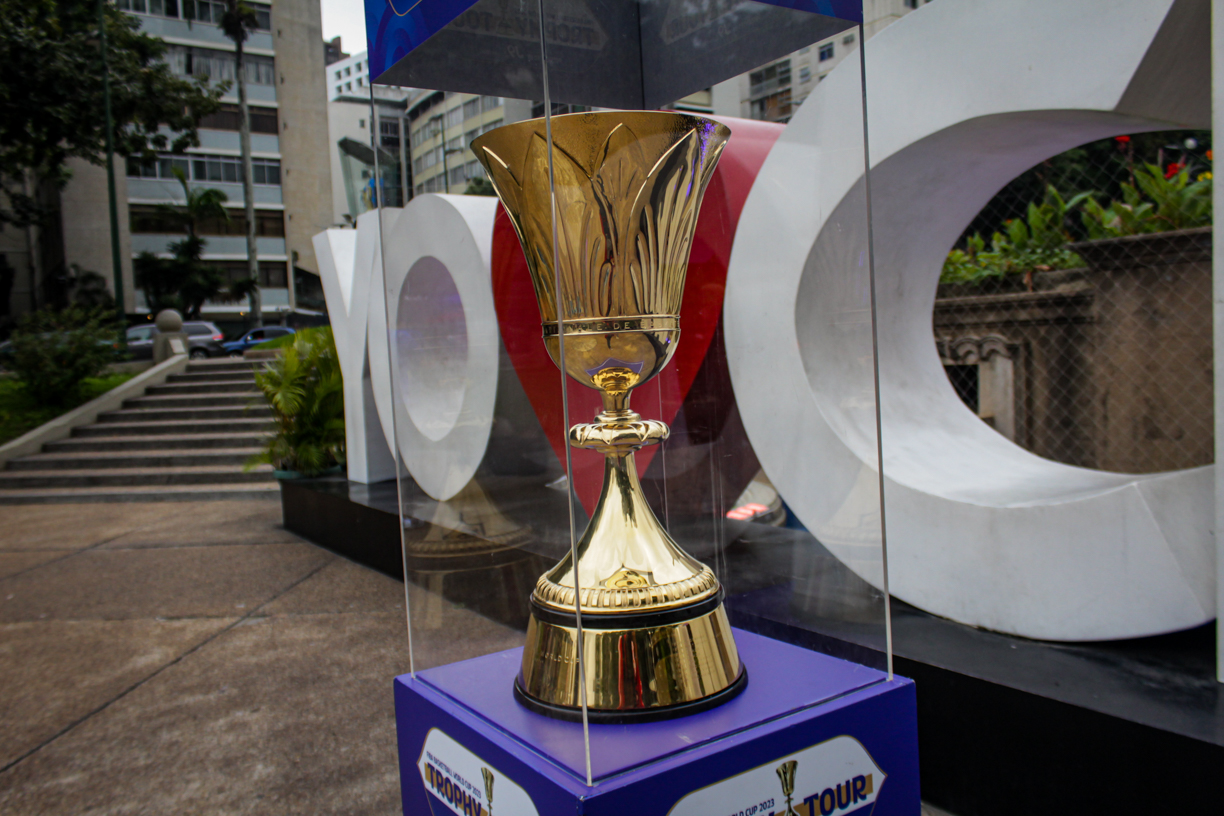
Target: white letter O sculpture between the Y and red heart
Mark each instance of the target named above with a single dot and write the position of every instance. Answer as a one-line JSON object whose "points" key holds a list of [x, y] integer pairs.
{"points": [[444, 339]]}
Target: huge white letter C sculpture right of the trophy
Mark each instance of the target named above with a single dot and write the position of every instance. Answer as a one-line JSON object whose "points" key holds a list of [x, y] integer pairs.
{"points": [[964, 96]]}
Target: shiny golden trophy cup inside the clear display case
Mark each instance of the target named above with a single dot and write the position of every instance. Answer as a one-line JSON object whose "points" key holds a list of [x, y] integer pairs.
{"points": [[629, 185]]}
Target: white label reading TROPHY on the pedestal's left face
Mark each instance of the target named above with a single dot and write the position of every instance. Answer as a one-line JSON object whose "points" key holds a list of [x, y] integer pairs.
{"points": [[466, 784]]}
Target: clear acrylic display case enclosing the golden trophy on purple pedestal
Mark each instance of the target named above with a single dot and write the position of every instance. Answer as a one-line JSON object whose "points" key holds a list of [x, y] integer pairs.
{"points": [[769, 473]]}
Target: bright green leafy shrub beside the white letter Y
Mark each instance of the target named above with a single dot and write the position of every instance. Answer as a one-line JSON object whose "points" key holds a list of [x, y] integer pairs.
{"points": [[307, 393]]}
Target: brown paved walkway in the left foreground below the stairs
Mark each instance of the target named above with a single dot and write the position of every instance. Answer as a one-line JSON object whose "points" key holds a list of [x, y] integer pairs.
{"points": [[192, 659]]}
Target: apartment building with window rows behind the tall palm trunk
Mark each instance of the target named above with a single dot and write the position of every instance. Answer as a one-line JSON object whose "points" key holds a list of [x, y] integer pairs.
{"points": [[288, 108]]}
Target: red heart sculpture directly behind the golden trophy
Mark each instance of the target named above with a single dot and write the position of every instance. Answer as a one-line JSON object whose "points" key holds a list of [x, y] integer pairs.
{"points": [[520, 315]]}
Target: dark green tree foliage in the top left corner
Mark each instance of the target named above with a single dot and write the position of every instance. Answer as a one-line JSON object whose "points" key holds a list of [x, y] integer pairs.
{"points": [[52, 96]]}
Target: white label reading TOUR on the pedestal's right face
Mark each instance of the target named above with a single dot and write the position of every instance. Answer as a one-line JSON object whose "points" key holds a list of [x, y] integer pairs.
{"points": [[835, 777]]}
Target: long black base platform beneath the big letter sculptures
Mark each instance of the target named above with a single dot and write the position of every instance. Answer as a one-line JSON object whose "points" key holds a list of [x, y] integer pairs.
{"points": [[1007, 726]]}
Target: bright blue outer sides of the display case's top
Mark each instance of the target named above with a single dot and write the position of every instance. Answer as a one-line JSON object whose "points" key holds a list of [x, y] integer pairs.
{"points": [[397, 28]]}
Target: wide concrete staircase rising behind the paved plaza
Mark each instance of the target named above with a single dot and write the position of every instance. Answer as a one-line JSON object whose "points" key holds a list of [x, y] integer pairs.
{"points": [[184, 441]]}
